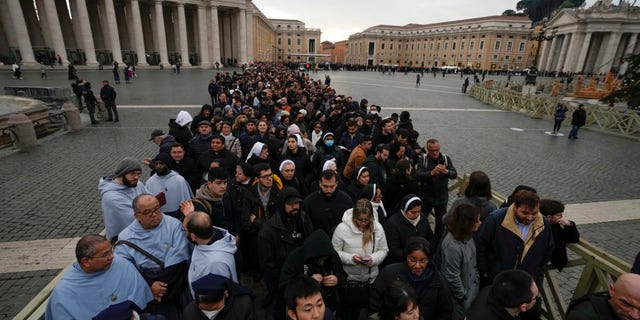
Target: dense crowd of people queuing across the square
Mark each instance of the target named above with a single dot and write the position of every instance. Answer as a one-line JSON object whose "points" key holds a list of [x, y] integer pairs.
{"points": [[315, 194]]}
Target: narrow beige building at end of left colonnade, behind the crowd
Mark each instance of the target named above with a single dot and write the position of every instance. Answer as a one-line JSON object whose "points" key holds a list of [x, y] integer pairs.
{"points": [[295, 42]]}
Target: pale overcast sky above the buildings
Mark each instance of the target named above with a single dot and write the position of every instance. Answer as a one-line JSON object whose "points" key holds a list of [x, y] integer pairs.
{"points": [[340, 18]]}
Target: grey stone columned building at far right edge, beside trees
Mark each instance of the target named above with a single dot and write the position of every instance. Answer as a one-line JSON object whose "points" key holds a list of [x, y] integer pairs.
{"points": [[591, 40]]}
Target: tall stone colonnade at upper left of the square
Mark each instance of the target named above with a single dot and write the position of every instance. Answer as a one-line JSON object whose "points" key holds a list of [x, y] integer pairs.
{"points": [[141, 32]]}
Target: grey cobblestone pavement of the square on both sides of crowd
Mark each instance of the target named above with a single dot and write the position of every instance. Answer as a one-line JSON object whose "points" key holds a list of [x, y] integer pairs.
{"points": [[51, 192]]}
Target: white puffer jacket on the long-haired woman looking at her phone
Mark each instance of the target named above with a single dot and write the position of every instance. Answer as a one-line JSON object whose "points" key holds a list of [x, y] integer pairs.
{"points": [[347, 241]]}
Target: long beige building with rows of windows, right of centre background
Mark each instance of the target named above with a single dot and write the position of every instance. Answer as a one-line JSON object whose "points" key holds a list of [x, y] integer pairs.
{"points": [[490, 43]]}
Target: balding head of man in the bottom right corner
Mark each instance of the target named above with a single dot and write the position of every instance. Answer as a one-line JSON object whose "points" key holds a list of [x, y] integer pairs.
{"points": [[625, 296]]}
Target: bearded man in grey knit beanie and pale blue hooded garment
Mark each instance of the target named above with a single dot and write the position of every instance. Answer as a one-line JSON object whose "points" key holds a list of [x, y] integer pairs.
{"points": [[118, 191]]}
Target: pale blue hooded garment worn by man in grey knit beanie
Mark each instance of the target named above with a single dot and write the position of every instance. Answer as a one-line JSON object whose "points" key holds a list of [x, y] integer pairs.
{"points": [[116, 204]]}
